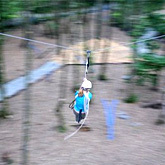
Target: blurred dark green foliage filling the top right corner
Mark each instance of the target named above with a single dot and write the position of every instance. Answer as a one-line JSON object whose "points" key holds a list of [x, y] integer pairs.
{"points": [[140, 14]]}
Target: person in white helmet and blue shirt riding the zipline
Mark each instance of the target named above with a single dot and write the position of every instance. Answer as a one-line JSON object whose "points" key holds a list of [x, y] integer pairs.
{"points": [[82, 99]]}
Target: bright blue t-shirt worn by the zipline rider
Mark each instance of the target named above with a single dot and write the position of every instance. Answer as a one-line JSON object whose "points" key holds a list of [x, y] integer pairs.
{"points": [[79, 104]]}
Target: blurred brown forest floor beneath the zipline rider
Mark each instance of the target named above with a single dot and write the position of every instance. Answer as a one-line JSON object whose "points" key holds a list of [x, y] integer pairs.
{"points": [[138, 141]]}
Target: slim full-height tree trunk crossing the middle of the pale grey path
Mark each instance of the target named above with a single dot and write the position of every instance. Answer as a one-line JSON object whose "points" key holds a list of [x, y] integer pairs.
{"points": [[27, 97]]}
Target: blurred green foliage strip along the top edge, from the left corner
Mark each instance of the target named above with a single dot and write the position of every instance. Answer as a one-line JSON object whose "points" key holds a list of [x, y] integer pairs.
{"points": [[13, 8]]}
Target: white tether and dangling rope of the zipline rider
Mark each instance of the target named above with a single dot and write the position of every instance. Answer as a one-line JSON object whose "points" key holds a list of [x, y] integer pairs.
{"points": [[86, 100]]}
